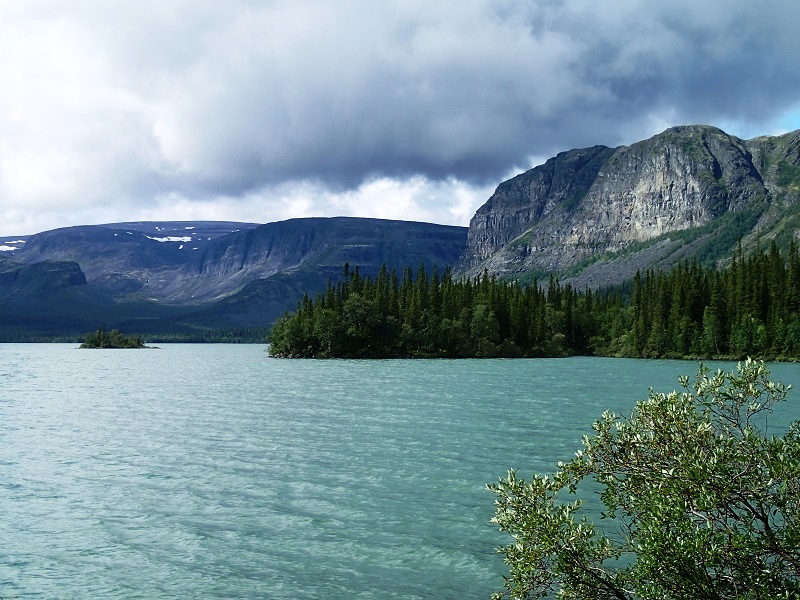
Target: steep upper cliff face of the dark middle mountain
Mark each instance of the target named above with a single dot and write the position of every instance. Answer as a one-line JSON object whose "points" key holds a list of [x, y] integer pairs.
{"points": [[315, 249]]}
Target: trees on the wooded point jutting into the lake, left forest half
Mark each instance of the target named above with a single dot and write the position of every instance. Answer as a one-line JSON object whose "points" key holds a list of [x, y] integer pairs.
{"points": [[433, 316]]}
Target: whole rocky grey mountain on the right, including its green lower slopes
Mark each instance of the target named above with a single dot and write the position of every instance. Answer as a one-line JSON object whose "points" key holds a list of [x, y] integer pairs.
{"points": [[598, 214]]}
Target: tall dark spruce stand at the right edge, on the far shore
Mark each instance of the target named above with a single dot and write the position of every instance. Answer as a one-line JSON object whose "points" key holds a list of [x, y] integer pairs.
{"points": [[750, 309]]}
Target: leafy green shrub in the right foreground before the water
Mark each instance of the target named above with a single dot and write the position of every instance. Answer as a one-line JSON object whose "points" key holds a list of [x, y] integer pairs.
{"points": [[699, 502]]}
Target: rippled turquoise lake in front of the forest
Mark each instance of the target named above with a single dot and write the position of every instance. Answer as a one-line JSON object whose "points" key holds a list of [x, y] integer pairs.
{"points": [[214, 471]]}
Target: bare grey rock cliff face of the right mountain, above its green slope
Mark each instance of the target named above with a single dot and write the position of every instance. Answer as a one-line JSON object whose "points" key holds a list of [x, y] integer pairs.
{"points": [[598, 200]]}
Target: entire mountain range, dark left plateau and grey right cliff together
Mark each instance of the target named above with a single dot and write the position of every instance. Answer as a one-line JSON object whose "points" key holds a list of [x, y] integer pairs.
{"points": [[594, 216]]}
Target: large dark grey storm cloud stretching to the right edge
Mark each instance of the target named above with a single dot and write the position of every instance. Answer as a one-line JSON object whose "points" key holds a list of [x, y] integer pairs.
{"points": [[343, 92]]}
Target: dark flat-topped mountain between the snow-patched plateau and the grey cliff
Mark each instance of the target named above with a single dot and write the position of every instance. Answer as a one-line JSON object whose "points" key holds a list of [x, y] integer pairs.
{"points": [[251, 278]]}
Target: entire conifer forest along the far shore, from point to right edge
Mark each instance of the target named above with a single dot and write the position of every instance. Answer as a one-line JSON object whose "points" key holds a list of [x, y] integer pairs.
{"points": [[751, 308]]}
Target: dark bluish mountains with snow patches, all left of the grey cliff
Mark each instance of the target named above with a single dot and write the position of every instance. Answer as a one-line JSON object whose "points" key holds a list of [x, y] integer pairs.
{"points": [[196, 278]]}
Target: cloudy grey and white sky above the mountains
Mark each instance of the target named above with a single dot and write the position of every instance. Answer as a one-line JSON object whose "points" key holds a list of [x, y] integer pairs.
{"points": [[260, 111]]}
